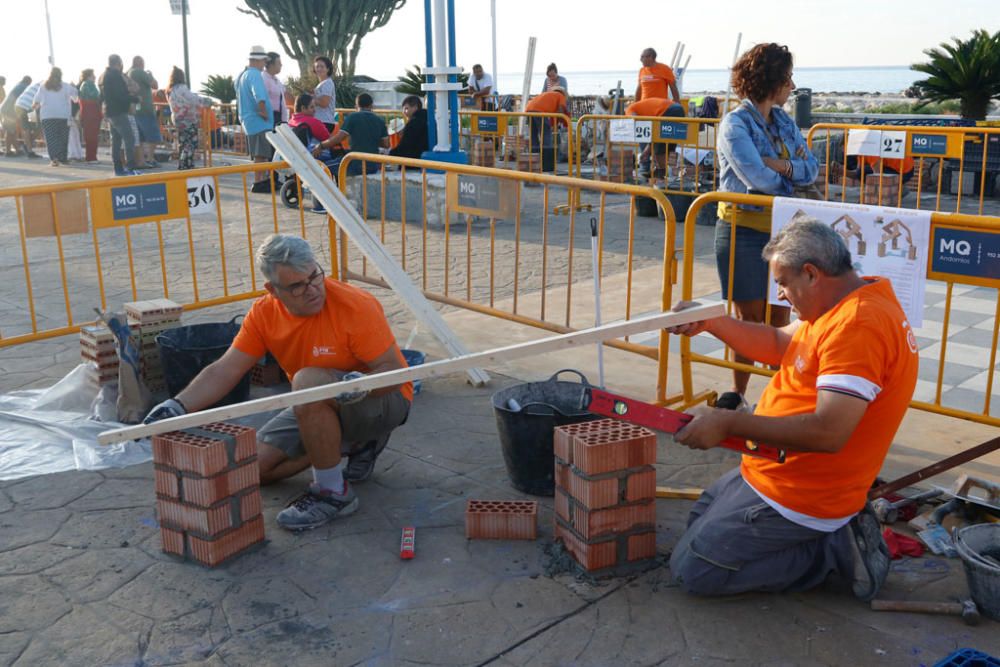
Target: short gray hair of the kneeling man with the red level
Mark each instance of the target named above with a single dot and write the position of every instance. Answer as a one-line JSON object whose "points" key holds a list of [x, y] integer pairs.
{"points": [[809, 242]]}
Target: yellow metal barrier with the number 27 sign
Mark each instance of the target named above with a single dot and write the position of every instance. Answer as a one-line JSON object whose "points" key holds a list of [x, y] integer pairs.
{"points": [[905, 166]]}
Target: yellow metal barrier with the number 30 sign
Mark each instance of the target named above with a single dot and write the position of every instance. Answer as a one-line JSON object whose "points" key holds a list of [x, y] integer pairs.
{"points": [[185, 235]]}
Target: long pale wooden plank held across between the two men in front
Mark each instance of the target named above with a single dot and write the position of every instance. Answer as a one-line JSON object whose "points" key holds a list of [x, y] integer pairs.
{"points": [[574, 340]]}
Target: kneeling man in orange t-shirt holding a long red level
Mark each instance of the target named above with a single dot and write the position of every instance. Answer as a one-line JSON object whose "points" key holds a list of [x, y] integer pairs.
{"points": [[848, 367]]}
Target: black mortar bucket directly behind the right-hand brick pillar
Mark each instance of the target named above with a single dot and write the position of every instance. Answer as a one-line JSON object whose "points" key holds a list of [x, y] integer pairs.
{"points": [[526, 433]]}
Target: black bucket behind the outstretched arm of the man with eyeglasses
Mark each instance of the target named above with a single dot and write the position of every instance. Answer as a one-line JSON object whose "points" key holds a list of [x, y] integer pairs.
{"points": [[185, 351]]}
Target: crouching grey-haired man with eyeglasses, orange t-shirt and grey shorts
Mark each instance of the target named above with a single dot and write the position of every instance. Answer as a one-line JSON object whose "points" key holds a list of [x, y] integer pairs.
{"points": [[321, 331]]}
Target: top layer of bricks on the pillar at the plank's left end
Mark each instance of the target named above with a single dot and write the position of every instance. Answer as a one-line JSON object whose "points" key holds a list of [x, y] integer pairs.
{"points": [[191, 450]]}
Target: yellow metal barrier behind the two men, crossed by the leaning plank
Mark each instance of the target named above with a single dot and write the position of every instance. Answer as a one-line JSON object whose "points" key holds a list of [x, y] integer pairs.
{"points": [[483, 239]]}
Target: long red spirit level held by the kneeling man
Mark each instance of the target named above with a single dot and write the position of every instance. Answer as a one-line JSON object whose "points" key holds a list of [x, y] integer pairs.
{"points": [[604, 403]]}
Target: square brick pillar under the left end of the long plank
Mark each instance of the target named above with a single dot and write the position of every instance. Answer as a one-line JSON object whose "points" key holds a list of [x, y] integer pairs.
{"points": [[208, 492]]}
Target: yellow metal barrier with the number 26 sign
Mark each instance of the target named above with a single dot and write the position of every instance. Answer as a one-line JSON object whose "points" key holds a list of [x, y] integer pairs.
{"points": [[615, 143]]}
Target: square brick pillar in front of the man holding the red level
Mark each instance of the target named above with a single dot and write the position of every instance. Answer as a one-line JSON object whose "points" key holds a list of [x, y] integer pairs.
{"points": [[605, 502]]}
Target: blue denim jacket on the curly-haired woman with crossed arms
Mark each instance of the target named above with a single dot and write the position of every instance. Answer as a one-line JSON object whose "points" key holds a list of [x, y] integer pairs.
{"points": [[745, 139]]}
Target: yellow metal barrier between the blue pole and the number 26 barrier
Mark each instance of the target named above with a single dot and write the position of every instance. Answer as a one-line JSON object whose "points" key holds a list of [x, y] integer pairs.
{"points": [[484, 133]]}
